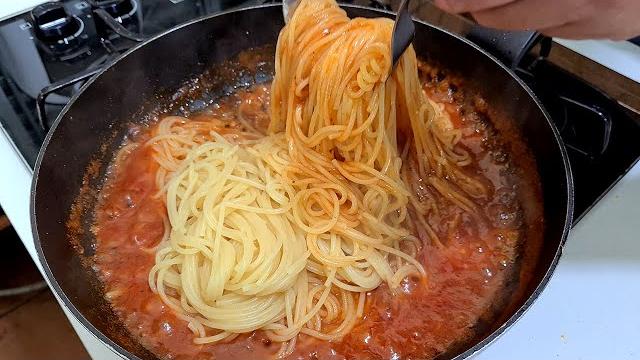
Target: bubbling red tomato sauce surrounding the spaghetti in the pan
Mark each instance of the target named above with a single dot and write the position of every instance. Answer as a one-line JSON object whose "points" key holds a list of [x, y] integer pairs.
{"points": [[474, 274]]}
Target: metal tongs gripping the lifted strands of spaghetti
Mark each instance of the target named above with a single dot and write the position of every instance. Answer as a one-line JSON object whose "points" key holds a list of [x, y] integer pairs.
{"points": [[403, 28]]}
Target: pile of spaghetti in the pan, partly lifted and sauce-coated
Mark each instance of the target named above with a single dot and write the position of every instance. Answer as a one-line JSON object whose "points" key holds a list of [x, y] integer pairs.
{"points": [[286, 233]]}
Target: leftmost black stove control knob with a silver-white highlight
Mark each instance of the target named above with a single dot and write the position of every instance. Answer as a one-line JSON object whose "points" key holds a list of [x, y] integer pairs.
{"points": [[54, 25]]}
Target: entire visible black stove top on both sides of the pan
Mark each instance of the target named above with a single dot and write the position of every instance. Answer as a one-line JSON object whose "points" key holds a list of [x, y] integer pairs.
{"points": [[48, 53]]}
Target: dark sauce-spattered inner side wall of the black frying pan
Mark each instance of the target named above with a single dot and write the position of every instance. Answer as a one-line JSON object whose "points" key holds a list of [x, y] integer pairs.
{"points": [[89, 129]]}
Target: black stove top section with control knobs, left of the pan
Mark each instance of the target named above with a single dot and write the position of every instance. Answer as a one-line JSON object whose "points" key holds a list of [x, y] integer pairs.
{"points": [[58, 43]]}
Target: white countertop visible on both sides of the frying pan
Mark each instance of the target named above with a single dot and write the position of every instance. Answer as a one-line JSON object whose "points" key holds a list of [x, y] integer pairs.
{"points": [[590, 309]]}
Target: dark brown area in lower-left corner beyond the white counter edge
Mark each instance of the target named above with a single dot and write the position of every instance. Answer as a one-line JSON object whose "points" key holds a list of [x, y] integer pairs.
{"points": [[32, 324]]}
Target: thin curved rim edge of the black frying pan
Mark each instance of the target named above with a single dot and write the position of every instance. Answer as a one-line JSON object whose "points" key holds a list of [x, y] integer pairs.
{"points": [[473, 350]]}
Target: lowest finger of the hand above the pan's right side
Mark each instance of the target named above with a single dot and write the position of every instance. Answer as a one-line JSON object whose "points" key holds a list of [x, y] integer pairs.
{"points": [[534, 14]]}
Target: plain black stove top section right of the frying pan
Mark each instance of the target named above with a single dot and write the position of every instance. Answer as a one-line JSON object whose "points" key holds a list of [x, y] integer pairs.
{"points": [[601, 135]]}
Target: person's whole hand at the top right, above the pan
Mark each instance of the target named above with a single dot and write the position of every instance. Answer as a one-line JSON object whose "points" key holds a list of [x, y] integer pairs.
{"points": [[573, 19]]}
